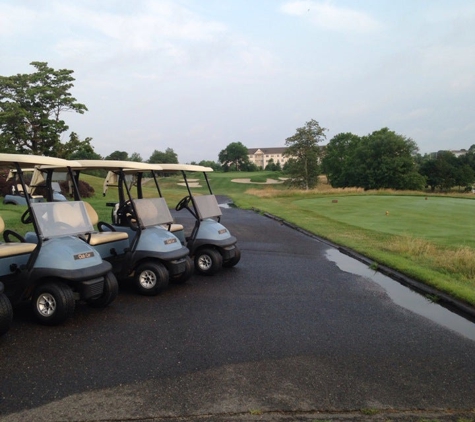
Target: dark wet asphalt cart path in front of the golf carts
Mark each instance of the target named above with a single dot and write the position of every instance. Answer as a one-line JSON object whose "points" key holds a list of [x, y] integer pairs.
{"points": [[284, 335]]}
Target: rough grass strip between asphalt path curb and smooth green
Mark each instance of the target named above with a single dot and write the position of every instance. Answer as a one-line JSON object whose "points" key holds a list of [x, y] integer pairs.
{"points": [[416, 258]]}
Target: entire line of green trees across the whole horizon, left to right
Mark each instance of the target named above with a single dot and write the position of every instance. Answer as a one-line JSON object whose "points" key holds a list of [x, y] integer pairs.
{"points": [[32, 105]]}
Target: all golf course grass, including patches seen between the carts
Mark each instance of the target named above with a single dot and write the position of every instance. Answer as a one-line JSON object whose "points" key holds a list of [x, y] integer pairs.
{"points": [[427, 237]]}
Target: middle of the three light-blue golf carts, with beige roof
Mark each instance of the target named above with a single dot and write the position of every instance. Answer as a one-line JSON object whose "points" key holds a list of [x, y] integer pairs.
{"points": [[153, 256]]}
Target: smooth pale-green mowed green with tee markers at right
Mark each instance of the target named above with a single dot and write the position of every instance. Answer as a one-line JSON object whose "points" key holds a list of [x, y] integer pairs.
{"points": [[444, 221]]}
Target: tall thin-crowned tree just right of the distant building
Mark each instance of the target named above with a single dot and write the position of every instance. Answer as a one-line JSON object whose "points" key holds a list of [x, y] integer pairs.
{"points": [[304, 152]]}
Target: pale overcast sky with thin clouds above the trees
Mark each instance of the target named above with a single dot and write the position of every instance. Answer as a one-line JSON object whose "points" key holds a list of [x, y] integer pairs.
{"points": [[196, 75]]}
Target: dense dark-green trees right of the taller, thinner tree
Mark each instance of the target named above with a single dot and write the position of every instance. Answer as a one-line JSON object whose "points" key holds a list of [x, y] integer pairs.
{"points": [[386, 160]]}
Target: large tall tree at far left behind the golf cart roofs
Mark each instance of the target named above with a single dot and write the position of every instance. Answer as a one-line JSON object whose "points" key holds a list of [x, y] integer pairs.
{"points": [[30, 109]]}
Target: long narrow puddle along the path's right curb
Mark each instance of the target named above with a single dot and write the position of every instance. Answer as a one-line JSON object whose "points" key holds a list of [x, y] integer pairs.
{"points": [[403, 296]]}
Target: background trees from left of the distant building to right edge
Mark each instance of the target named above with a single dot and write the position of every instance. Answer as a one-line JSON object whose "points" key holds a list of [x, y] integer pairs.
{"points": [[382, 159]]}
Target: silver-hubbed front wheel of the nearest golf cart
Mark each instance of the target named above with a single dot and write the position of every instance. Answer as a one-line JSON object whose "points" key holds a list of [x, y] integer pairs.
{"points": [[53, 303]]}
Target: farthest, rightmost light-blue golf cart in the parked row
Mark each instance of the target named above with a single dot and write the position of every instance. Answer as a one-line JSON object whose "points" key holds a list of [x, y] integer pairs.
{"points": [[210, 243]]}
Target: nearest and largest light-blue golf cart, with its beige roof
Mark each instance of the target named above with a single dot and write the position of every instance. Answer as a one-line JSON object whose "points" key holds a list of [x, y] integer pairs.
{"points": [[52, 267]]}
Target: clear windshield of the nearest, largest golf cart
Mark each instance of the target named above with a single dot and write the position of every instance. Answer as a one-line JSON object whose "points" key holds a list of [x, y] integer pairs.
{"points": [[57, 219]]}
